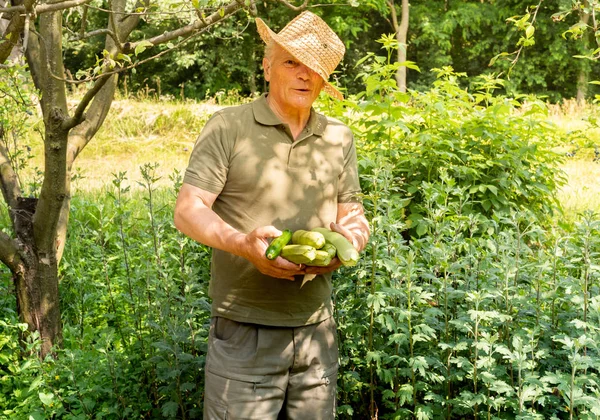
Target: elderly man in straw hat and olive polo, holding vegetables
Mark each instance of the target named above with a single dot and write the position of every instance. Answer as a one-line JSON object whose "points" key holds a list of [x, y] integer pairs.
{"points": [[255, 170]]}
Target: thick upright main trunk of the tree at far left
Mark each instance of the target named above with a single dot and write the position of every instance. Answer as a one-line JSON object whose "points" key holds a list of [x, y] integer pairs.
{"points": [[36, 283]]}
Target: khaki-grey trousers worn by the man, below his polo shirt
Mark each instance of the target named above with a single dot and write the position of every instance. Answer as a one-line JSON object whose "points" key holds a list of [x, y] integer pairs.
{"points": [[261, 372]]}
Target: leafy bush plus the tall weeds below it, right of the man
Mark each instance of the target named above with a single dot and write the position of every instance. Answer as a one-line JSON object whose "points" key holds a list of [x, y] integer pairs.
{"points": [[464, 319]]}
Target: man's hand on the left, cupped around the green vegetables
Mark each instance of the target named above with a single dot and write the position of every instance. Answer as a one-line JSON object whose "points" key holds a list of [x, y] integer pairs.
{"points": [[254, 247]]}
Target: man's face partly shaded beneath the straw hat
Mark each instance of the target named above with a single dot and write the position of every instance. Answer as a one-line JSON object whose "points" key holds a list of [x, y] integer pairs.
{"points": [[293, 86]]}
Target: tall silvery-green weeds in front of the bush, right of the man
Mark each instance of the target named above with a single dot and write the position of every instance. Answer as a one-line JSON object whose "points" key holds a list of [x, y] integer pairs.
{"points": [[464, 324]]}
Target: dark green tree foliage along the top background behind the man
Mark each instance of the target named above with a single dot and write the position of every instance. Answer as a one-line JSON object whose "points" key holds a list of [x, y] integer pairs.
{"points": [[465, 35]]}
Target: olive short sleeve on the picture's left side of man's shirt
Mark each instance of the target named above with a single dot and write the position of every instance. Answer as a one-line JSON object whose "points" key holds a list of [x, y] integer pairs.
{"points": [[209, 162]]}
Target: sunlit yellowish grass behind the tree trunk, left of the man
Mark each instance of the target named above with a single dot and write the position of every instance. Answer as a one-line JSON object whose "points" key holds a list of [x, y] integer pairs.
{"points": [[135, 133]]}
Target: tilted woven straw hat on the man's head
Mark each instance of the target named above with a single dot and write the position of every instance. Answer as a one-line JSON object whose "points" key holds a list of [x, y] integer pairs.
{"points": [[308, 38]]}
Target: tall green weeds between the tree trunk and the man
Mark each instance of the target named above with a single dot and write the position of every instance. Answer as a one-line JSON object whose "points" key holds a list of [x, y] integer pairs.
{"points": [[134, 306]]}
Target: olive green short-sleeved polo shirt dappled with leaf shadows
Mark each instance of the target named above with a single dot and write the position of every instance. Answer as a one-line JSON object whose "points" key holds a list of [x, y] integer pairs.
{"points": [[247, 156]]}
